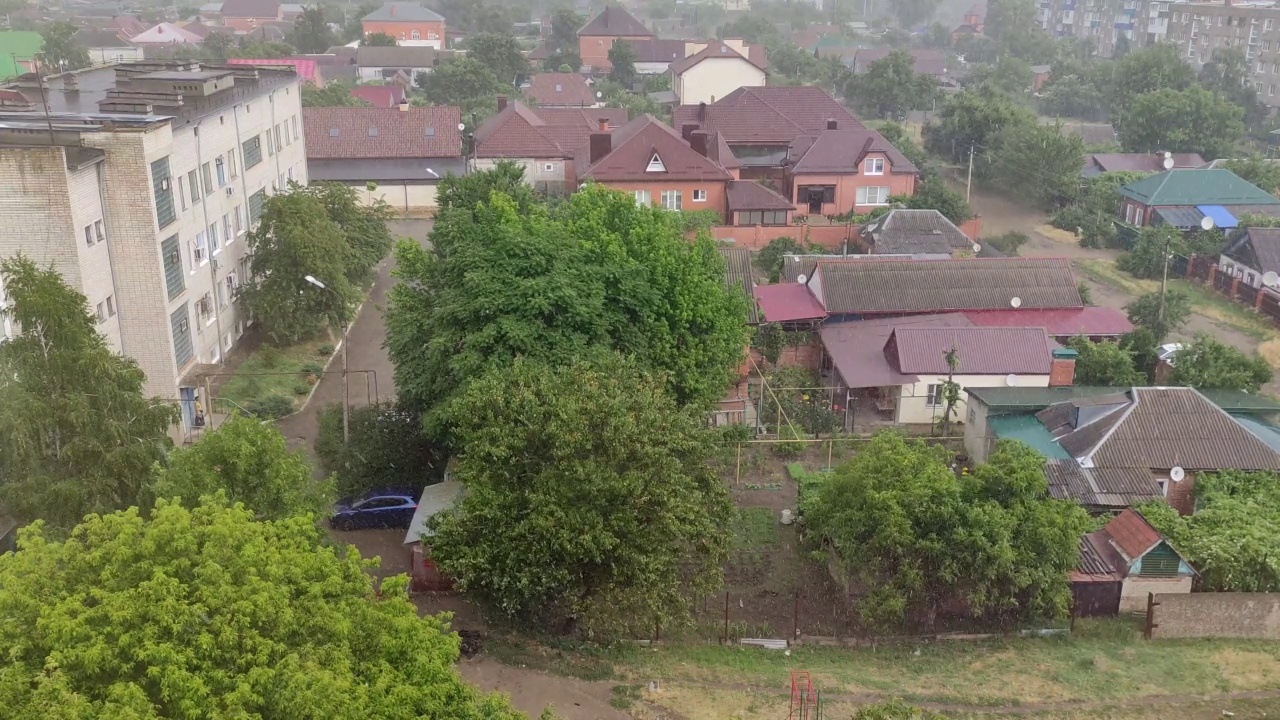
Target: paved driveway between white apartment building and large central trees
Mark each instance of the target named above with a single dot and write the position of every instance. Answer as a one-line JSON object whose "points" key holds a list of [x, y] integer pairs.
{"points": [[365, 353]]}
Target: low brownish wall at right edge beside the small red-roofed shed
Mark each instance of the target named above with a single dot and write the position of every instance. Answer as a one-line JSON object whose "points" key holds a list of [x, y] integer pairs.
{"points": [[1218, 616]]}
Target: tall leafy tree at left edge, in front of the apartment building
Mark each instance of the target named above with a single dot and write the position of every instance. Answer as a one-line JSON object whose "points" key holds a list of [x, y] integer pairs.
{"points": [[77, 435]]}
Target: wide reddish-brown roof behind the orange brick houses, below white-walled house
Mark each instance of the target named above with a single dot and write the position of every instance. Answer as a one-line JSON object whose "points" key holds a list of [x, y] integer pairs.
{"points": [[769, 115]]}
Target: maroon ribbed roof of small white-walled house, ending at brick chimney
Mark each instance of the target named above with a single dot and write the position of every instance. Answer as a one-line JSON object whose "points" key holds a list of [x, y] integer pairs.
{"points": [[980, 352]]}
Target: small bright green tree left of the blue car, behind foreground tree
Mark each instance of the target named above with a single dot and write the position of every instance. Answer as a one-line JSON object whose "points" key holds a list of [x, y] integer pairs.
{"points": [[250, 463]]}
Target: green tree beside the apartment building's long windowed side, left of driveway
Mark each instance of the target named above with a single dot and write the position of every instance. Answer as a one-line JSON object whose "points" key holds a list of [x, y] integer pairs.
{"points": [[296, 239]]}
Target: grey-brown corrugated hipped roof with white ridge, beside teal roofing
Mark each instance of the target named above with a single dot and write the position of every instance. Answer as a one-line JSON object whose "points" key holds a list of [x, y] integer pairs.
{"points": [[1171, 427]]}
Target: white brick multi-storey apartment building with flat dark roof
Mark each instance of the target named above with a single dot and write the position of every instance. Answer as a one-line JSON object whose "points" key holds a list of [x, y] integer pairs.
{"points": [[140, 186]]}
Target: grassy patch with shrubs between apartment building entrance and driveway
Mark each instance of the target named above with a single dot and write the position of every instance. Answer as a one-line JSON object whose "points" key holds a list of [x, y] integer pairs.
{"points": [[277, 395]]}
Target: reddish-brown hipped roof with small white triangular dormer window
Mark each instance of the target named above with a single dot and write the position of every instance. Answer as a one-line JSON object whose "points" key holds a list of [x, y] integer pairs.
{"points": [[637, 143]]}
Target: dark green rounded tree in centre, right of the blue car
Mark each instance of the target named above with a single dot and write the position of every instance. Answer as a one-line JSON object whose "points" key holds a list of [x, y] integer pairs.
{"points": [[589, 498]]}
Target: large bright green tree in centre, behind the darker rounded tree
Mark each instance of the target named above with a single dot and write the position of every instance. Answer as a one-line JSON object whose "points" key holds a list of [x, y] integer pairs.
{"points": [[501, 282]]}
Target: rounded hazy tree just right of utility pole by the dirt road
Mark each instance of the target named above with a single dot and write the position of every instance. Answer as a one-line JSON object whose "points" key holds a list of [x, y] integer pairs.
{"points": [[1040, 163]]}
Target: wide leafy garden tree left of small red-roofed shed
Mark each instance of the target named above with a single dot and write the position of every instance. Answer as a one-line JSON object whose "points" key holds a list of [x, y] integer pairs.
{"points": [[912, 536]]}
